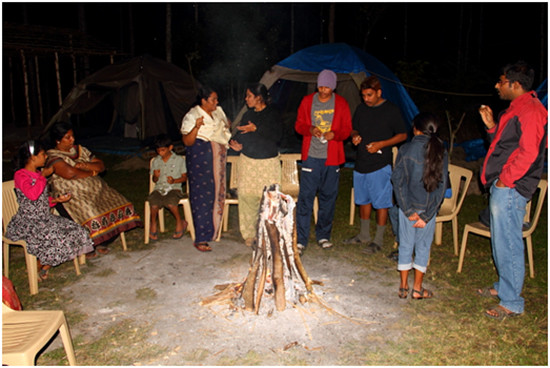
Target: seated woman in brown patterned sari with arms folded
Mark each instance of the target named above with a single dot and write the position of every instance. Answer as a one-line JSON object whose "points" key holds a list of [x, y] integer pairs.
{"points": [[96, 206]]}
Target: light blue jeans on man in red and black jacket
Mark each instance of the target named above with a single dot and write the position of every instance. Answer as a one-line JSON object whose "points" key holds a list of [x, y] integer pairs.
{"points": [[507, 208]]}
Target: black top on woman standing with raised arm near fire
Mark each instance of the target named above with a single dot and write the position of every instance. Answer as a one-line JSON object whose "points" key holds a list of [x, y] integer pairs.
{"points": [[264, 142]]}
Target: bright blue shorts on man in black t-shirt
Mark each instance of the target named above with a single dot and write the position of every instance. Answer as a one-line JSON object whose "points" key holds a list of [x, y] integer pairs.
{"points": [[374, 187]]}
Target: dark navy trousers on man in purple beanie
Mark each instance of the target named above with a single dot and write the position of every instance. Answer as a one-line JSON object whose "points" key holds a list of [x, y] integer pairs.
{"points": [[316, 179]]}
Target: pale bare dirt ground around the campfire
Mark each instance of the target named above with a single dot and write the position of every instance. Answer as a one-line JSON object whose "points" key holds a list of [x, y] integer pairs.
{"points": [[164, 285]]}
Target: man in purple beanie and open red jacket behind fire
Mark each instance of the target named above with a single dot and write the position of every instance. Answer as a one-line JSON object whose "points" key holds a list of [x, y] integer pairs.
{"points": [[324, 121]]}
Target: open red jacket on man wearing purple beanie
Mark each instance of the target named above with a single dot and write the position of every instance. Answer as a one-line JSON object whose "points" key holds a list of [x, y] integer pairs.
{"points": [[341, 127]]}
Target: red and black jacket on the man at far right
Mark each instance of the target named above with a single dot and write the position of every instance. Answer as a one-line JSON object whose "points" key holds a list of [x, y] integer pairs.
{"points": [[518, 143]]}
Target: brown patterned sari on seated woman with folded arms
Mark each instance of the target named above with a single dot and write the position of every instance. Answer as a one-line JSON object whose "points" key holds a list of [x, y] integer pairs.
{"points": [[96, 206]]}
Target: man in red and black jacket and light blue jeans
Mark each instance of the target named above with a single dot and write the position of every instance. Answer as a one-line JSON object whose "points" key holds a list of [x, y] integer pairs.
{"points": [[512, 169]]}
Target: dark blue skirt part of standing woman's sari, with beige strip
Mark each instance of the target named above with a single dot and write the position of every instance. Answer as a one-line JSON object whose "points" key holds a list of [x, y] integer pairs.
{"points": [[206, 175]]}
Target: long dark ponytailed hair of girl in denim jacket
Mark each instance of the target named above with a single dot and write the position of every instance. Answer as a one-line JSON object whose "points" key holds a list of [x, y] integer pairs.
{"points": [[428, 124]]}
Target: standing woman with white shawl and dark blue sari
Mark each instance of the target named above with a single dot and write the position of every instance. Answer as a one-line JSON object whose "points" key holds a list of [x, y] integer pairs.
{"points": [[205, 131]]}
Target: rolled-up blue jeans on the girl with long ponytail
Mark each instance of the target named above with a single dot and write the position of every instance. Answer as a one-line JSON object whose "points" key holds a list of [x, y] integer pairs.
{"points": [[414, 239]]}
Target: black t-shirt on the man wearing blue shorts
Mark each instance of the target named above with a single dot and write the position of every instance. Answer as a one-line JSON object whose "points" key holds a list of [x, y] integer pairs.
{"points": [[376, 124]]}
